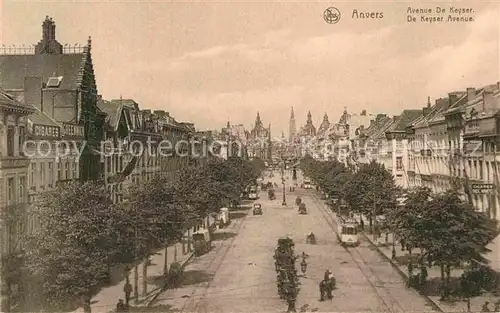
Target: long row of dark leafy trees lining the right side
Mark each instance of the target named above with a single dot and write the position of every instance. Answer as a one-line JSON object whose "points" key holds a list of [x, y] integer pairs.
{"points": [[436, 230]]}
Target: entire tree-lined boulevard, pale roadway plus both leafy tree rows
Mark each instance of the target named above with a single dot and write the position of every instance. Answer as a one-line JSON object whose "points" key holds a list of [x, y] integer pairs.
{"points": [[83, 234]]}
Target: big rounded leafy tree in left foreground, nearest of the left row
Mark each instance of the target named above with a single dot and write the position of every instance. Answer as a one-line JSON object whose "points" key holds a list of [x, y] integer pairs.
{"points": [[70, 250]]}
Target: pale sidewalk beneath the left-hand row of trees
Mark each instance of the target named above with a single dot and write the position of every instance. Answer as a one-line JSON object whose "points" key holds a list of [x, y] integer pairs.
{"points": [[107, 298]]}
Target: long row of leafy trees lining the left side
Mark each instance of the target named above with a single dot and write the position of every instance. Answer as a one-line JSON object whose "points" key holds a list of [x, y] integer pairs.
{"points": [[81, 234]]}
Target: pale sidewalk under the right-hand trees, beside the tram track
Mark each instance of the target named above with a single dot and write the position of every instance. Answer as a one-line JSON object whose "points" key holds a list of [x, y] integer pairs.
{"points": [[431, 291]]}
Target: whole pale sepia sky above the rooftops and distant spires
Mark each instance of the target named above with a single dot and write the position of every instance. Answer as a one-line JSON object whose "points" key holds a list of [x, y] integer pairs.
{"points": [[214, 61]]}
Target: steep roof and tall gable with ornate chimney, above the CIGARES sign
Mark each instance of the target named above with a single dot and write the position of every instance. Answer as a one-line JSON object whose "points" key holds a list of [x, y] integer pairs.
{"points": [[59, 82]]}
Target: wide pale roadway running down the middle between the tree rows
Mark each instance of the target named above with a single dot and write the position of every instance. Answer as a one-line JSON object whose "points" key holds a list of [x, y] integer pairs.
{"points": [[238, 274]]}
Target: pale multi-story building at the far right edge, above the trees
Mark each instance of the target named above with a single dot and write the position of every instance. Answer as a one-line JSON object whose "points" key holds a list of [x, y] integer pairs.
{"points": [[472, 134]]}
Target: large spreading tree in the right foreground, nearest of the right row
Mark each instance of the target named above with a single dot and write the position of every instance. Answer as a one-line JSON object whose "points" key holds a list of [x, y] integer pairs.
{"points": [[447, 230]]}
